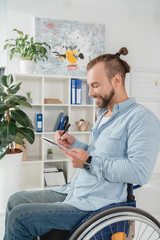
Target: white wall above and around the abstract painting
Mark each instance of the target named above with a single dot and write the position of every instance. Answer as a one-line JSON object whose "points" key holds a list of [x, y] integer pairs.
{"points": [[134, 24]]}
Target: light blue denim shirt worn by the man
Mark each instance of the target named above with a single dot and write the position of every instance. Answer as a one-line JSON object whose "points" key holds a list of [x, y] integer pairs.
{"points": [[124, 150]]}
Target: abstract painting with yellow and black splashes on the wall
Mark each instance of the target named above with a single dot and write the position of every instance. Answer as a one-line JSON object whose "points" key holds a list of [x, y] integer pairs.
{"points": [[73, 48]]}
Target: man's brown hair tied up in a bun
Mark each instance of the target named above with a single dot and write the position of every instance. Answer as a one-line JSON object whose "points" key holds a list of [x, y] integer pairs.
{"points": [[113, 64]]}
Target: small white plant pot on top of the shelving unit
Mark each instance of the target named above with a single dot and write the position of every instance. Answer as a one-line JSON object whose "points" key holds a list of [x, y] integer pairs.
{"points": [[27, 66]]}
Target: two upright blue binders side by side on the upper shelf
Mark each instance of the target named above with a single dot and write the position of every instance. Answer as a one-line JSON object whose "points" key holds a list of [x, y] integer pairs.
{"points": [[76, 91]]}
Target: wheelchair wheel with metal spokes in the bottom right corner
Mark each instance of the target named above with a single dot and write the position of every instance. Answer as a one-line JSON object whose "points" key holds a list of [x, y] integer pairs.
{"points": [[119, 223]]}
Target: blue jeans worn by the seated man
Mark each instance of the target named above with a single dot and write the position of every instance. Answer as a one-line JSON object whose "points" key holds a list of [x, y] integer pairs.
{"points": [[34, 213]]}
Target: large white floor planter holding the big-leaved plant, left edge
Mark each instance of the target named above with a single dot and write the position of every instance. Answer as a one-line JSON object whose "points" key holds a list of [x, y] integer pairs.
{"points": [[9, 177]]}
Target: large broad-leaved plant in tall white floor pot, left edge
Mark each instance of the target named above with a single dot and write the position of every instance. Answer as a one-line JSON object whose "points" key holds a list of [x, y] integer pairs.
{"points": [[15, 127]]}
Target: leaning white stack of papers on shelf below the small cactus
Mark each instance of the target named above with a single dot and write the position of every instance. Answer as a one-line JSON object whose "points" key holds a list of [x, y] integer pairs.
{"points": [[54, 177]]}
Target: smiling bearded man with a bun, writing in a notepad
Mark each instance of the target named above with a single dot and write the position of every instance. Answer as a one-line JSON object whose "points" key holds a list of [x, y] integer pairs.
{"points": [[123, 148]]}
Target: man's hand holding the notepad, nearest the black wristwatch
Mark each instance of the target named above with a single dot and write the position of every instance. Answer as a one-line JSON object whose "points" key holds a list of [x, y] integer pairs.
{"points": [[77, 156]]}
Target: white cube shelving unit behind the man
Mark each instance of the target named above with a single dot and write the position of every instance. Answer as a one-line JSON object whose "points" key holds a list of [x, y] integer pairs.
{"points": [[59, 87]]}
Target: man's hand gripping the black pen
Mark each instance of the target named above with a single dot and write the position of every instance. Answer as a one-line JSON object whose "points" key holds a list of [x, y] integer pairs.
{"points": [[66, 140]]}
